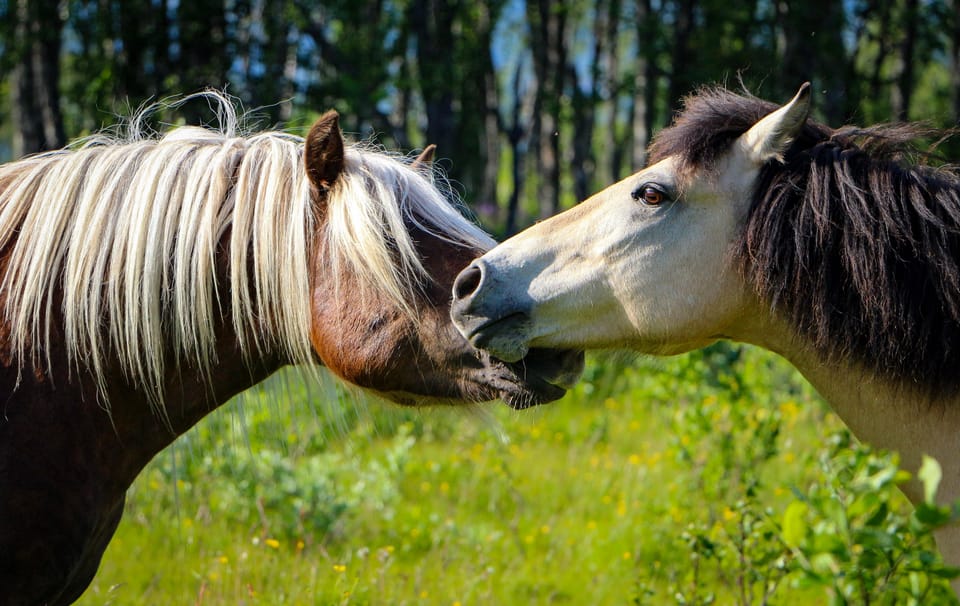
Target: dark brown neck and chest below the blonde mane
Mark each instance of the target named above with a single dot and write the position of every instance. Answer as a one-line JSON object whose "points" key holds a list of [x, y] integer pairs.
{"points": [[67, 460]]}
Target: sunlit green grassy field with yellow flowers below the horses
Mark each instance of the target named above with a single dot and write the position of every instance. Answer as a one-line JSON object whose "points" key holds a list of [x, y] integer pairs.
{"points": [[716, 477]]}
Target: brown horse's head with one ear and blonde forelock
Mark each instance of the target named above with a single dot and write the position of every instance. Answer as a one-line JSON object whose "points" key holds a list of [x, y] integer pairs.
{"points": [[388, 250]]}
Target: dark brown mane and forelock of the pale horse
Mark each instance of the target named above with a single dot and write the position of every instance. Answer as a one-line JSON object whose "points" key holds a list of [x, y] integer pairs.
{"points": [[852, 238]]}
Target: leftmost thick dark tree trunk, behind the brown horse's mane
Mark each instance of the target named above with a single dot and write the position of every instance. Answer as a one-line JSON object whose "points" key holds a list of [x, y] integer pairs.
{"points": [[34, 91]]}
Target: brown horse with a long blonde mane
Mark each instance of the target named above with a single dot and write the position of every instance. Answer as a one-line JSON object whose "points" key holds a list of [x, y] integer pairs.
{"points": [[146, 281]]}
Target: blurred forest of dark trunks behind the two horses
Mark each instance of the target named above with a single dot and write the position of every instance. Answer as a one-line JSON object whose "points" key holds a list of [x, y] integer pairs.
{"points": [[534, 105]]}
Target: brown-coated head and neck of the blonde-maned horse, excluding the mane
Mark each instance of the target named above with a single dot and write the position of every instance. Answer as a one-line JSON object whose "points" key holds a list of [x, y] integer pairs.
{"points": [[73, 439]]}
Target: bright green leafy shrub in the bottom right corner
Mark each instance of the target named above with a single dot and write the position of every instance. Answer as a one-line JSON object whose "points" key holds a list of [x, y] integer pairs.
{"points": [[849, 535]]}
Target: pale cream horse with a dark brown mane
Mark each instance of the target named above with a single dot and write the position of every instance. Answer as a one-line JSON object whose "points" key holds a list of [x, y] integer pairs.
{"points": [[755, 224]]}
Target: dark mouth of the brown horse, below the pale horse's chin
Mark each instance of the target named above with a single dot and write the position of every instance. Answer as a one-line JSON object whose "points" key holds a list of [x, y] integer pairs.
{"points": [[542, 376]]}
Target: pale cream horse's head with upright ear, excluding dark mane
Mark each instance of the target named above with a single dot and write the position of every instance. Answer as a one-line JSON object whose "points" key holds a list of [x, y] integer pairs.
{"points": [[645, 264]]}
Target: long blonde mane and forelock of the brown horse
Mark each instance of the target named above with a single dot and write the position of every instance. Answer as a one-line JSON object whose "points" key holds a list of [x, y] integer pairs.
{"points": [[119, 237]]}
